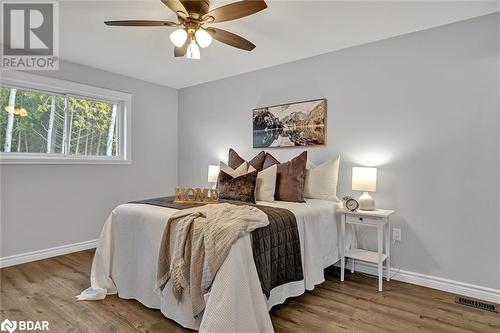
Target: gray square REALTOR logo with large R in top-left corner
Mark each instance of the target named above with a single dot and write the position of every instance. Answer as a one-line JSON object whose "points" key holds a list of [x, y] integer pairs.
{"points": [[29, 35]]}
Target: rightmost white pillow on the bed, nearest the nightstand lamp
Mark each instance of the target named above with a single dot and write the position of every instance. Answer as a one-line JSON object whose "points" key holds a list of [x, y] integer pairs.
{"points": [[321, 181]]}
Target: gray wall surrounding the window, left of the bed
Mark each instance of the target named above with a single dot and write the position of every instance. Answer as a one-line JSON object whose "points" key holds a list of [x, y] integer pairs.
{"points": [[44, 206]]}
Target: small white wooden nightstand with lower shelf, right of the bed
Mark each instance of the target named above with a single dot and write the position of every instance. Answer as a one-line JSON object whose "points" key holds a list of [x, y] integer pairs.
{"points": [[379, 219]]}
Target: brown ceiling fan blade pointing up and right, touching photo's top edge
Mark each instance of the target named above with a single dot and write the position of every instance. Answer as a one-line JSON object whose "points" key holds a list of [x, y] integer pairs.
{"points": [[235, 10]]}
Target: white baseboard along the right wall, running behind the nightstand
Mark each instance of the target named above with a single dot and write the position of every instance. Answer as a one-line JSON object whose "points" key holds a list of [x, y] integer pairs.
{"points": [[451, 286]]}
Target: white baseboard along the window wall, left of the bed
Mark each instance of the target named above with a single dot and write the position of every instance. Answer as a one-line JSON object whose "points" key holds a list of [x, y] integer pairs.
{"points": [[47, 253]]}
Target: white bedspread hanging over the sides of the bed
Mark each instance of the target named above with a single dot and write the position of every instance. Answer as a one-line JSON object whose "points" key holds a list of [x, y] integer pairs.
{"points": [[126, 262]]}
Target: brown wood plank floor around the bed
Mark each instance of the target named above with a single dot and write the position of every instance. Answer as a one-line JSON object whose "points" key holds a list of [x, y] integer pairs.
{"points": [[46, 289]]}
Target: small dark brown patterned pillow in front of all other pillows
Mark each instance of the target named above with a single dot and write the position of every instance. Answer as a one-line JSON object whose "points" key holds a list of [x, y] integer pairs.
{"points": [[241, 188]]}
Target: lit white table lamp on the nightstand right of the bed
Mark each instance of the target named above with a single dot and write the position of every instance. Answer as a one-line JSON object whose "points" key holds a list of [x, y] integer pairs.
{"points": [[365, 179]]}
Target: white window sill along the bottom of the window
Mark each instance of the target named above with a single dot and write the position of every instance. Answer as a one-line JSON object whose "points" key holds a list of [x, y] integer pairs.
{"points": [[17, 159]]}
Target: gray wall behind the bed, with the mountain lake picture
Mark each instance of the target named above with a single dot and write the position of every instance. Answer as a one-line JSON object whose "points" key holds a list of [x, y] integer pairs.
{"points": [[422, 107]]}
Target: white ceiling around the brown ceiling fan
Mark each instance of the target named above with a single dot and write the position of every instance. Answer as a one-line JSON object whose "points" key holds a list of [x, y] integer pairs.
{"points": [[284, 32]]}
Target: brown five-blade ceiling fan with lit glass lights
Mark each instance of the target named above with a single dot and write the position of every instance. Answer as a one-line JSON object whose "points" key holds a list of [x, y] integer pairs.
{"points": [[193, 16]]}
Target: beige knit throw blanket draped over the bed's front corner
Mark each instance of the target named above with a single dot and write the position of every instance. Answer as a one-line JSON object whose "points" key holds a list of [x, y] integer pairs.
{"points": [[194, 235]]}
